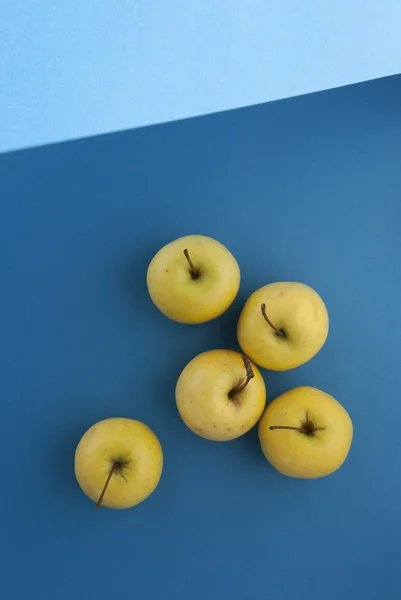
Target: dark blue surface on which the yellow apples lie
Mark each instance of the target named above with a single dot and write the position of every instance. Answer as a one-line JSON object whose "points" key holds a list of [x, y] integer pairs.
{"points": [[306, 189]]}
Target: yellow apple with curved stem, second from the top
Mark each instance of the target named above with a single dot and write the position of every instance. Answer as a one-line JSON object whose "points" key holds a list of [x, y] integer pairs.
{"points": [[283, 325]]}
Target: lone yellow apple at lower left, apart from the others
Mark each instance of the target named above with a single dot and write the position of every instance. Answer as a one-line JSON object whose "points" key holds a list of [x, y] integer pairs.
{"points": [[118, 462]]}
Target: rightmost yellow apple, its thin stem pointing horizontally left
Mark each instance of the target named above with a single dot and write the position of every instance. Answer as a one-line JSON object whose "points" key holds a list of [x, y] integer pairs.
{"points": [[305, 433]]}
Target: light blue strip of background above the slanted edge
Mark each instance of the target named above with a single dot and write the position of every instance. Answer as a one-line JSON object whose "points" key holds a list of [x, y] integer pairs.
{"points": [[71, 69]]}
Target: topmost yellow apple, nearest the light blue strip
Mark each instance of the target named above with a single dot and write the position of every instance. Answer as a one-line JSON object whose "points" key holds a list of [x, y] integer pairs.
{"points": [[193, 279]]}
